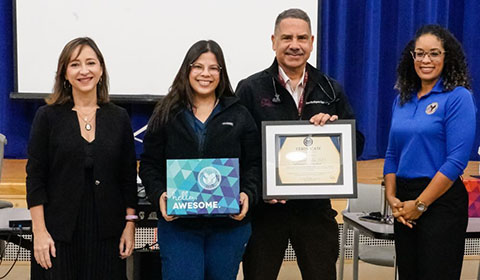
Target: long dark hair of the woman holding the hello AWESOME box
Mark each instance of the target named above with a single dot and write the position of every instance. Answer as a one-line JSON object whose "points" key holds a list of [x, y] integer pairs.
{"points": [[180, 94]]}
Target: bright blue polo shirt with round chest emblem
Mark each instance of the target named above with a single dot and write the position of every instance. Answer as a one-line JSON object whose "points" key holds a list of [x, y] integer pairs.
{"points": [[431, 134]]}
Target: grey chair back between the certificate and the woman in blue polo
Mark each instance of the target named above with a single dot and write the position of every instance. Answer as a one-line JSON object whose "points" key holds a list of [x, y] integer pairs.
{"points": [[369, 199]]}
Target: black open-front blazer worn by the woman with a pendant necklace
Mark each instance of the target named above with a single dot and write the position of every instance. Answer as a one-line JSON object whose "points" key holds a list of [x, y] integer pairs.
{"points": [[56, 168]]}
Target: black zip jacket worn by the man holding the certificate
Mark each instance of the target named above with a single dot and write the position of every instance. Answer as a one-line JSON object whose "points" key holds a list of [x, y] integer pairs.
{"points": [[258, 93]]}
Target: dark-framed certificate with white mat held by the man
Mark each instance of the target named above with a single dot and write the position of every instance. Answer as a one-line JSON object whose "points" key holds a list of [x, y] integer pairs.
{"points": [[303, 161]]}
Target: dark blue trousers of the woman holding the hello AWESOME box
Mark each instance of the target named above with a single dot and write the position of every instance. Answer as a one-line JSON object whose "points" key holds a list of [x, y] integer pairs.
{"points": [[204, 253]]}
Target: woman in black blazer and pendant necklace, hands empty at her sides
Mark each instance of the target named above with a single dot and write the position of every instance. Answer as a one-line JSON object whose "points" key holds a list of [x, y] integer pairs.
{"points": [[81, 174]]}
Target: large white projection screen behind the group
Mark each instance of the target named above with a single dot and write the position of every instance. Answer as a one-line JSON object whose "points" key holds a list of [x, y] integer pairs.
{"points": [[144, 42]]}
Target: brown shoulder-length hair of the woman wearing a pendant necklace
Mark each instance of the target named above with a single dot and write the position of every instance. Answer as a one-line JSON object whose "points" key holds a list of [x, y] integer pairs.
{"points": [[62, 90]]}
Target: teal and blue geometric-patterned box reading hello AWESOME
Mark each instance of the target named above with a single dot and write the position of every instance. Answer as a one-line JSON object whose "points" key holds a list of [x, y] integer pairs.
{"points": [[203, 186]]}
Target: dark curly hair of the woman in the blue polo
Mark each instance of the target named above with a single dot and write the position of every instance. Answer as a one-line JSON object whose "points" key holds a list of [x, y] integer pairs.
{"points": [[454, 73]]}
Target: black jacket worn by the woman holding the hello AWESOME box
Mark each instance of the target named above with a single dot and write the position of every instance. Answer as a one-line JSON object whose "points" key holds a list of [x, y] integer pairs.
{"points": [[231, 133]]}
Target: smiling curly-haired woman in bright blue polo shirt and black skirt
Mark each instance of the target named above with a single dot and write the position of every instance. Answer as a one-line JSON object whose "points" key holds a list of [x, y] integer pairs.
{"points": [[431, 137]]}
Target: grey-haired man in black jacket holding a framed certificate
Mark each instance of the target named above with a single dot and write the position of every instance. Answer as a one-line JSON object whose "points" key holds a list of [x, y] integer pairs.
{"points": [[292, 89]]}
